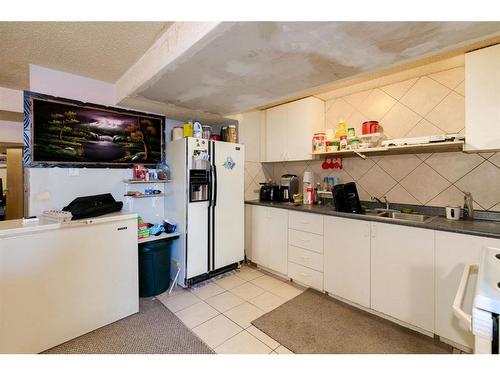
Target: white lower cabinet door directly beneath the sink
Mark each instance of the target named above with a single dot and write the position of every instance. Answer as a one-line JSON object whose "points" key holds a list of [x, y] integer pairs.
{"points": [[402, 273]]}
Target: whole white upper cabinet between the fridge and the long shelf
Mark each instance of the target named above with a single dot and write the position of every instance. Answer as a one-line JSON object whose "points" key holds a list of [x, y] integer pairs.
{"points": [[290, 128]]}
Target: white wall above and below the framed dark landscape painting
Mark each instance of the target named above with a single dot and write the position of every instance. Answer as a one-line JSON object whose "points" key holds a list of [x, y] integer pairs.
{"points": [[53, 188]]}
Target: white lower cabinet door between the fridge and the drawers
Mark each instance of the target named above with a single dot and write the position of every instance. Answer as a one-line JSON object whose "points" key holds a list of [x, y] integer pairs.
{"points": [[268, 237]]}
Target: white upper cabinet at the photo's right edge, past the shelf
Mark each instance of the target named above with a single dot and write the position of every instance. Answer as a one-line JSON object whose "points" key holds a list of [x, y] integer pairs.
{"points": [[482, 99]]}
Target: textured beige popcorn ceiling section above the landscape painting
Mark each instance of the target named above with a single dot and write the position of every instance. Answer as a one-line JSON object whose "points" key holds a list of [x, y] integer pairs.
{"points": [[99, 50]]}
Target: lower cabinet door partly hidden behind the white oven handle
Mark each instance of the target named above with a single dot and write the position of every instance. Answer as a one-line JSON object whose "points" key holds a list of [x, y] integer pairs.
{"points": [[453, 252]]}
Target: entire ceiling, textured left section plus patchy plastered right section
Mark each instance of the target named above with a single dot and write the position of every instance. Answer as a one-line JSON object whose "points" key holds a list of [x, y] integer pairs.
{"points": [[238, 66]]}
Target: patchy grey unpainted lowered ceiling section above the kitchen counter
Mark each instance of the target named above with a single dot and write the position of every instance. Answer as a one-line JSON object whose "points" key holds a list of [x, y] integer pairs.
{"points": [[252, 64]]}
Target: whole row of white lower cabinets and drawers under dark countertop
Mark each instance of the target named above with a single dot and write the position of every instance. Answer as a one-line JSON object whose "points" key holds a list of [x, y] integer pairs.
{"points": [[411, 274]]}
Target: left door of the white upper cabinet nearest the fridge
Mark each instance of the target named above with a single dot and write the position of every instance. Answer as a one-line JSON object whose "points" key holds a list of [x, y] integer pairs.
{"points": [[276, 133]]}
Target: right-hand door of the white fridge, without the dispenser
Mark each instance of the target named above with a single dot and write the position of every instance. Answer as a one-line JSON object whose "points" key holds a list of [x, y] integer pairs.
{"points": [[228, 205]]}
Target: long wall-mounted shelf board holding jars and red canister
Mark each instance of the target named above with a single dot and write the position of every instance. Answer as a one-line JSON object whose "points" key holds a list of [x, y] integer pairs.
{"points": [[405, 149]]}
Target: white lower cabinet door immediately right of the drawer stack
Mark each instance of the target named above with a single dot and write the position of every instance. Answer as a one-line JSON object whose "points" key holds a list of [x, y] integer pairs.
{"points": [[347, 259]]}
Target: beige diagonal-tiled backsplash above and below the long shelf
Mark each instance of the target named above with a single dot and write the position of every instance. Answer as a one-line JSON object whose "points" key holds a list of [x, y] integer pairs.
{"points": [[426, 105]]}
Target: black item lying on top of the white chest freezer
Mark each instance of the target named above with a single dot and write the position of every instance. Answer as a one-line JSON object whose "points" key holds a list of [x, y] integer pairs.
{"points": [[93, 205]]}
